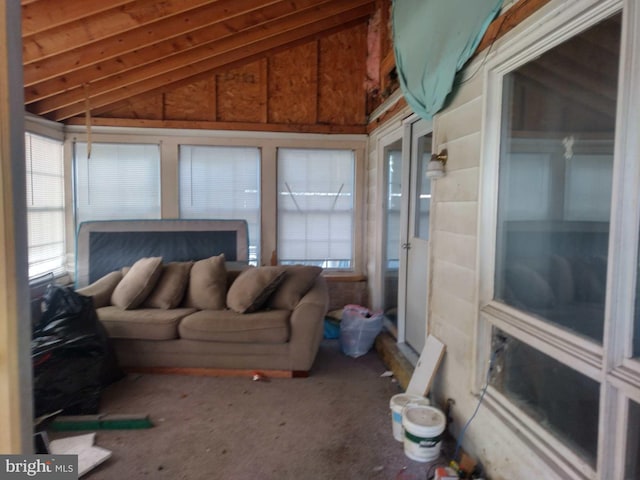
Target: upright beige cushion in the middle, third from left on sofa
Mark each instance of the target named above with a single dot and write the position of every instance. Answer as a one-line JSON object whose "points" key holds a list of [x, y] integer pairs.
{"points": [[207, 288]]}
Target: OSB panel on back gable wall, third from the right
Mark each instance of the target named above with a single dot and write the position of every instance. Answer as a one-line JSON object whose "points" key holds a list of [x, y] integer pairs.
{"points": [[241, 93]]}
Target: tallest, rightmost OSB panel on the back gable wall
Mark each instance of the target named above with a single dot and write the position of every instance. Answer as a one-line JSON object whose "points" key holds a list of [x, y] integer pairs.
{"points": [[341, 92]]}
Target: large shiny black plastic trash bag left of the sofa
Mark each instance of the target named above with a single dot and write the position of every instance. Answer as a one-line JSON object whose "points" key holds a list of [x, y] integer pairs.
{"points": [[72, 357]]}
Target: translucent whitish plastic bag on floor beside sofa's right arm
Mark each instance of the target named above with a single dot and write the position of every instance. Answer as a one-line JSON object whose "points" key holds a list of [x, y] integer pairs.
{"points": [[359, 328]]}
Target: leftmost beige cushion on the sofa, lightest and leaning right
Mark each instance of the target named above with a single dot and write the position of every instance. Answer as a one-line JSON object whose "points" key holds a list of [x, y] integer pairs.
{"points": [[137, 283]]}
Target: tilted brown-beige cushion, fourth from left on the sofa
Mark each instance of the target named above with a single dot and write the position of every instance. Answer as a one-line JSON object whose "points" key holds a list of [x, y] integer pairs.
{"points": [[253, 287]]}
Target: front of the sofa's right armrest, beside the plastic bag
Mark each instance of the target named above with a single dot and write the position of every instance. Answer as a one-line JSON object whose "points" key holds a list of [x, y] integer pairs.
{"points": [[307, 325]]}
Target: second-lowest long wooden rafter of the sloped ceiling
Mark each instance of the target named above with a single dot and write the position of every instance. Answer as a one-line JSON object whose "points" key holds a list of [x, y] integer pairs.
{"points": [[203, 52]]}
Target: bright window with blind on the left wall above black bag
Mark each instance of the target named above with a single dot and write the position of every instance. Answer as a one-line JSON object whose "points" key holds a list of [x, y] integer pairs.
{"points": [[45, 204]]}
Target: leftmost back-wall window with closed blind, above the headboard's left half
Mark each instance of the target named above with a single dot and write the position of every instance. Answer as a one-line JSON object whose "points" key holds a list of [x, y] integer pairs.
{"points": [[117, 182]]}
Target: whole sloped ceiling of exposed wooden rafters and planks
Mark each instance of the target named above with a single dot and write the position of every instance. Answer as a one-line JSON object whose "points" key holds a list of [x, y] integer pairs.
{"points": [[94, 54]]}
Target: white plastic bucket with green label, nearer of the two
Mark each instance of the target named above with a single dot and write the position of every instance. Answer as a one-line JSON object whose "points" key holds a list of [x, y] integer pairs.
{"points": [[423, 428]]}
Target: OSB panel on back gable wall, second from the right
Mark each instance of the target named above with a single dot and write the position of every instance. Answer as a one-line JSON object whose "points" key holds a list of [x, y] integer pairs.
{"points": [[293, 83]]}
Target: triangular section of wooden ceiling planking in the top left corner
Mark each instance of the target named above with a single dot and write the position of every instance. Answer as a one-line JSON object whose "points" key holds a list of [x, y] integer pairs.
{"points": [[36, 18]]}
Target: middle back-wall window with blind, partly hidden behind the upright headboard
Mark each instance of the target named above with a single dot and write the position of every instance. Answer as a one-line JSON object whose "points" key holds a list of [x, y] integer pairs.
{"points": [[222, 183]]}
